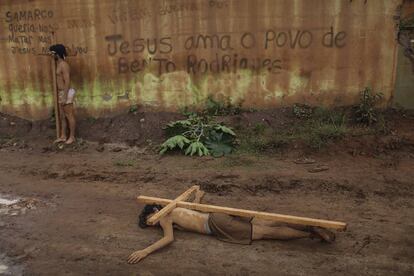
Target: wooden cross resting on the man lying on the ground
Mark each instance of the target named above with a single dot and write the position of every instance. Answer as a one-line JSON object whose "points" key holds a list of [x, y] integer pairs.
{"points": [[180, 202]]}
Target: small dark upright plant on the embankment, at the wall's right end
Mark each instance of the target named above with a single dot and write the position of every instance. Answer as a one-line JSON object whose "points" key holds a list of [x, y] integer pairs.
{"points": [[365, 112]]}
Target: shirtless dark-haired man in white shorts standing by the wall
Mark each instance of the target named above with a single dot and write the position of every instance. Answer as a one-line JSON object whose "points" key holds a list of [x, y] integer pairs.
{"points": [[65, 94]]}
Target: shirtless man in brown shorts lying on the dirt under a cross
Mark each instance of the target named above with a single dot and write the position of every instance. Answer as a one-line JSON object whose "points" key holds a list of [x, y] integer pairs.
{"points": [[223, 227]]}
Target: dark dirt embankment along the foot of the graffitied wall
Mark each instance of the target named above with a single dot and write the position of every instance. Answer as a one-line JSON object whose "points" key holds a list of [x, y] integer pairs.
{"points": [[143, 128]]}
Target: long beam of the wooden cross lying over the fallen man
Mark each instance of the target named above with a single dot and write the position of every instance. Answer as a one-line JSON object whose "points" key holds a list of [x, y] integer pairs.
{"points": [[337, 225]]}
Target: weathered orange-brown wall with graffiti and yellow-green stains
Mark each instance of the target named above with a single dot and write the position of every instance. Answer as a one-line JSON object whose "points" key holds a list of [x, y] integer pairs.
{"points": [[170, 54]]}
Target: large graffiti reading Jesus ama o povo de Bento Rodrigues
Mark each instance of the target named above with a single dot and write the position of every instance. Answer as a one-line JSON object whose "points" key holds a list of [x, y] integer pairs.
{"points": [[231, 51]]}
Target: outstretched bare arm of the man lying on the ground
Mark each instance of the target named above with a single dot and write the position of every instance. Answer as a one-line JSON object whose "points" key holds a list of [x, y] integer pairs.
{"points": [[166, 224]]}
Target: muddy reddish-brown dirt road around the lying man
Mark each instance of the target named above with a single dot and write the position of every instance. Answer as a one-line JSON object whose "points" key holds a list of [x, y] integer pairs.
{"points": [[78, 211]]}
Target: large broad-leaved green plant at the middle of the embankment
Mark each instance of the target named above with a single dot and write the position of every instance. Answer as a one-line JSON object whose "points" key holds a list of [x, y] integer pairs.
{"points": [[198, 135]]}
